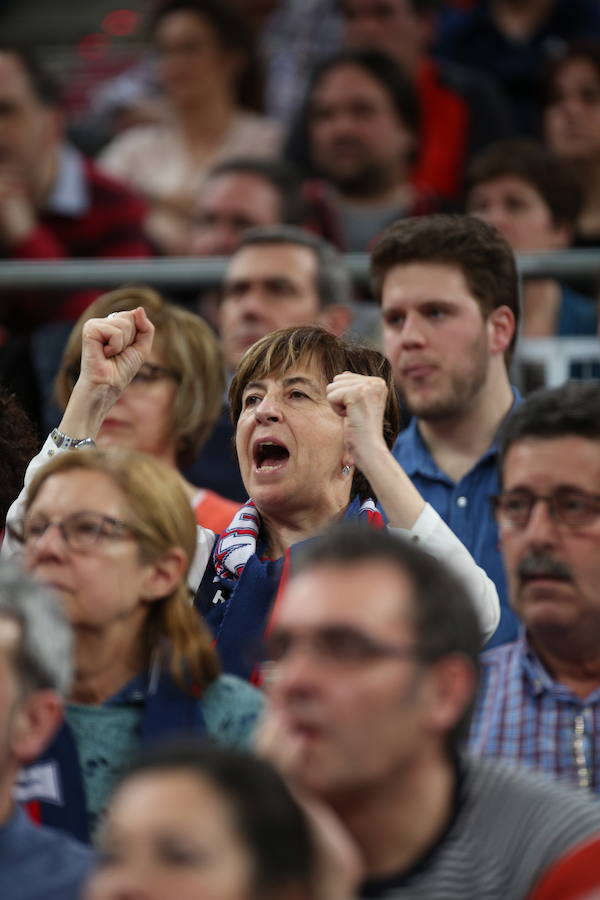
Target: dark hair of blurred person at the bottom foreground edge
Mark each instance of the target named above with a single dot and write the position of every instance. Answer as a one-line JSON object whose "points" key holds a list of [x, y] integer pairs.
{"points": [[268, 818]]}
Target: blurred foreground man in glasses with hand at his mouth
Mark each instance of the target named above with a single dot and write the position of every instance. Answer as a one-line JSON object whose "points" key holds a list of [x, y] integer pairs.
{"points": [[373, 666]]}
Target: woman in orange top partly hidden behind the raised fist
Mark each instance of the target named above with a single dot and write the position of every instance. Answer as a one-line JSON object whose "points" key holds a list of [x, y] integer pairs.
{"points": [[173, 401]]}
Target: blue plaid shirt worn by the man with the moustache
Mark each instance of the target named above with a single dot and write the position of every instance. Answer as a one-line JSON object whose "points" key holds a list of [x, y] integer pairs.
{"points": [[526, 717]]}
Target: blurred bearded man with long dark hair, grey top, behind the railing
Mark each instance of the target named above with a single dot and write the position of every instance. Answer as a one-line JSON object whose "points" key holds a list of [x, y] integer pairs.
{"points": [[363, 135]]}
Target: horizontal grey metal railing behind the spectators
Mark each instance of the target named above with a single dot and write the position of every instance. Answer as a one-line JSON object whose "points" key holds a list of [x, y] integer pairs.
{"points": [[185, 272]]}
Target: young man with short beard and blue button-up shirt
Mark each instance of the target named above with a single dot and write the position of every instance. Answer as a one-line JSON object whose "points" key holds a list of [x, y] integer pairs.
{"points": [[448, 290]]}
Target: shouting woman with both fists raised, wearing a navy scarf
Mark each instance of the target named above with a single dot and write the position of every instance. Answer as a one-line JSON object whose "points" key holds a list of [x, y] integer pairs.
{"points": [[315, 418]]}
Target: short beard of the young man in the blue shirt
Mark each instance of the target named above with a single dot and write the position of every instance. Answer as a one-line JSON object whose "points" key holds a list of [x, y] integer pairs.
{"points": [[463, 387]]}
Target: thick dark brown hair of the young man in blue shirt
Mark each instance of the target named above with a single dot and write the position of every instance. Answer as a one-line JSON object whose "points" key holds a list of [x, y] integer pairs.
{"points": [[477, 249]]}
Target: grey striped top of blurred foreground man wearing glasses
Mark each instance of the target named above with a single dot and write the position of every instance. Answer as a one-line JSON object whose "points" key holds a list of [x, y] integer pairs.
{"points": [[509, 828]]}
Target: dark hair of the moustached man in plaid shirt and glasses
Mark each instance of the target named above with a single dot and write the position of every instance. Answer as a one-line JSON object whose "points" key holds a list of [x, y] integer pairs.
{"points": [[571, 409]]}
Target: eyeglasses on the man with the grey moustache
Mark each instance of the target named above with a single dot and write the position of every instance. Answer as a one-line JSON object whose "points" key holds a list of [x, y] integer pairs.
{"points": [[571, 507]]}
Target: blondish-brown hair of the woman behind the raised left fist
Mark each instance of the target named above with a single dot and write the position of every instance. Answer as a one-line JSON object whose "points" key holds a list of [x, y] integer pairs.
{"points": [[190, 349]]}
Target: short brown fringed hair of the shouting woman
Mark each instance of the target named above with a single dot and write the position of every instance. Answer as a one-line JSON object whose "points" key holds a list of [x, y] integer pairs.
{"points": [[287, 348]]}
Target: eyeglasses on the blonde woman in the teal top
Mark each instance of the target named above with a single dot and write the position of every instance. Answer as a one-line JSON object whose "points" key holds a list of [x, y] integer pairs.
{"points": [[80, 531]]}
